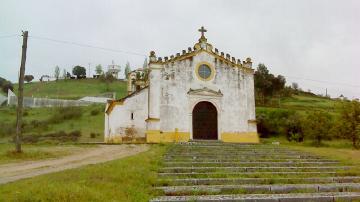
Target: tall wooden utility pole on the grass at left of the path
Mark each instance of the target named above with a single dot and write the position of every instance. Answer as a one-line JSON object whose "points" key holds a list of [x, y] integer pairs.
{"points": [[19, 112]]}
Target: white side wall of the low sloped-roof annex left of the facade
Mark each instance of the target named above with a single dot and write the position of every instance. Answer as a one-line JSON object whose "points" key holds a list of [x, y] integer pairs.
{"points": [[120, 118]]}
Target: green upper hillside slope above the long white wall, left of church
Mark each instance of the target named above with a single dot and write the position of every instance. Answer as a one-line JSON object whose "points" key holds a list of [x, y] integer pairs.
{"points": [[72, 89]]}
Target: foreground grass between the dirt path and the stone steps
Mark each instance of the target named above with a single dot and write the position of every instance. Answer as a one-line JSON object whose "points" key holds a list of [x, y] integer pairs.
{"points": [[128, 179]]}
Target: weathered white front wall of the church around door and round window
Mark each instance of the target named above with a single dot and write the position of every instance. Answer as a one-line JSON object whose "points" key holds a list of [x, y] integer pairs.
{"points": [[236, 105]]}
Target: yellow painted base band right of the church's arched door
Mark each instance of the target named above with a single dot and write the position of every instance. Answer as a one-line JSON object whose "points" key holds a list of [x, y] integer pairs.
{"points": [[243, 137]]}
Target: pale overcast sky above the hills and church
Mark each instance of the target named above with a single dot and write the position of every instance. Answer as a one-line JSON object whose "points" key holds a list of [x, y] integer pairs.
{"points": [[314, 43]]}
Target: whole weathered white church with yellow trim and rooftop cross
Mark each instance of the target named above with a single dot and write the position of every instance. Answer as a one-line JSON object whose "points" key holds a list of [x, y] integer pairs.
{"points": [[198, 94]]}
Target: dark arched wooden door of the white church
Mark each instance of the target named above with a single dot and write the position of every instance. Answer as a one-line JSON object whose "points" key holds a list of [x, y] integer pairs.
{"points": [[204, 121]]}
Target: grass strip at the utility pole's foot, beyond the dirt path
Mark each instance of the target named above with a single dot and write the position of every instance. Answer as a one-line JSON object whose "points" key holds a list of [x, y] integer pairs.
{"points": [[36, 152]]}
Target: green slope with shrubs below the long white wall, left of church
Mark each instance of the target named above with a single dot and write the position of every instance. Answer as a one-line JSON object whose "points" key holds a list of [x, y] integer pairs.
{"points": [[44, 121]]}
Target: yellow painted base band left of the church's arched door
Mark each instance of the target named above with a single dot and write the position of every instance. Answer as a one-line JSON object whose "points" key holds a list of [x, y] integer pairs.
{"points": [[157, 136]]}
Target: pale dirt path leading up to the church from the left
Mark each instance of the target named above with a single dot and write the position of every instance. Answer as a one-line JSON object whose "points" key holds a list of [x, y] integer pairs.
{"points": [[16, 171]]}
